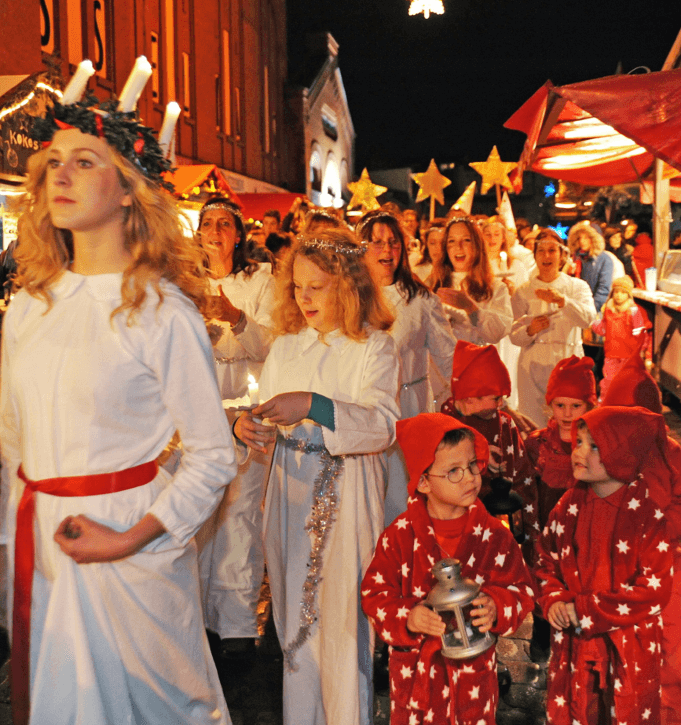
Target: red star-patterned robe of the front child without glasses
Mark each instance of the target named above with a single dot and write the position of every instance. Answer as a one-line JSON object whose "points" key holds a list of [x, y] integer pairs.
{"points": [[627, 618]]}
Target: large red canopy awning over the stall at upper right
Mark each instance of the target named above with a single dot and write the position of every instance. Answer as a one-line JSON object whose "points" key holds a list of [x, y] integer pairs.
{"points": [[602, 132]]}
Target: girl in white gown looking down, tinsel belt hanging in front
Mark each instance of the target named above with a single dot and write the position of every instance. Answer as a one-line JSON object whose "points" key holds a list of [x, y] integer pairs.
{"points": [[330, 385]]}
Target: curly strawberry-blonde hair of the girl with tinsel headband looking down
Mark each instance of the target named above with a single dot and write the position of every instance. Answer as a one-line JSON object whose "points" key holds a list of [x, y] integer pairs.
{"points": [[358, 299]]}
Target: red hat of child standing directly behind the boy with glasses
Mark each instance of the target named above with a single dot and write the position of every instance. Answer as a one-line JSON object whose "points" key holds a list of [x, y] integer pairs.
{"points": [[478, 371]]}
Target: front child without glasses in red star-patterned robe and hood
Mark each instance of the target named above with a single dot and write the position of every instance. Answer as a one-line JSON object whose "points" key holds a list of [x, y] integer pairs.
{"points": [[604, 568]]}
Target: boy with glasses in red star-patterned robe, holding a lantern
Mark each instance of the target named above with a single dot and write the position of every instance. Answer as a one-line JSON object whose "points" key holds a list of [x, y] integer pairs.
{"points": [[444, 519]]}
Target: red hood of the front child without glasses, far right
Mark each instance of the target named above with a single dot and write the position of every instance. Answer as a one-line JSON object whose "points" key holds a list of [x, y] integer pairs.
{"points": [[630, 440]]}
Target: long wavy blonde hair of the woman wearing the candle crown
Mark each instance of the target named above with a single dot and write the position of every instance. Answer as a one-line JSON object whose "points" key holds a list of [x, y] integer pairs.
{"points": [[153, 237]]}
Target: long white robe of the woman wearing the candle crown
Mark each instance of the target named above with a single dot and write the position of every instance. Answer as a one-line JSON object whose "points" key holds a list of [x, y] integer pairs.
{"points": [[123, 641]]}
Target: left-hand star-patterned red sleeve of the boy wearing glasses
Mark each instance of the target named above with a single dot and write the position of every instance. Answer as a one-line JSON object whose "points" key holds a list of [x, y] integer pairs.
{"points": [[386, 596]]}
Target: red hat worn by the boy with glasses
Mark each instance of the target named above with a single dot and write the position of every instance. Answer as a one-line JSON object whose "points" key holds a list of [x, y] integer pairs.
{"points": [[420, 436]]}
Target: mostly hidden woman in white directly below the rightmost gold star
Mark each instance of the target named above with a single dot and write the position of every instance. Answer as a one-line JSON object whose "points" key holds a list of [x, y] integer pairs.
{"points": [[510, 270]]}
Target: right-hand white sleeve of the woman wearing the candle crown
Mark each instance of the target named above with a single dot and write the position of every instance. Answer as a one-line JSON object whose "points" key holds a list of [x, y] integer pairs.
{"points": [[181, 359]]}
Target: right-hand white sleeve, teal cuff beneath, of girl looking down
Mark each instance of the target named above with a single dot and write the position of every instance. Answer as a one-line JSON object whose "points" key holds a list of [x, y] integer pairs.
{"points": [[368, 426]]}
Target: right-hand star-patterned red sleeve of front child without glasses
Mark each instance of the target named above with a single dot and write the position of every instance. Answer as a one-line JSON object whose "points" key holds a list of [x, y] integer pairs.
{"points": [[643, 595]]}
